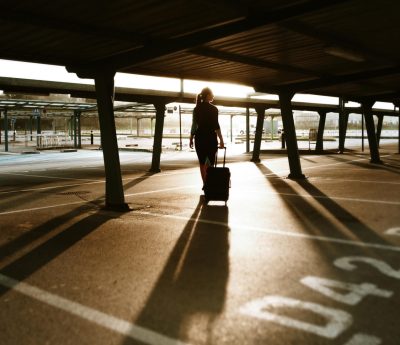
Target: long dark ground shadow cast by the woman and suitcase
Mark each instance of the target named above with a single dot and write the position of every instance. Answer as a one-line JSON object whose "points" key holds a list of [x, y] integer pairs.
{"points": [[191, 289]]}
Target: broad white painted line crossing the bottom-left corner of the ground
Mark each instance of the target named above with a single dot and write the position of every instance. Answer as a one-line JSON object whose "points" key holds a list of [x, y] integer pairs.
{"points": [[102, 319]]}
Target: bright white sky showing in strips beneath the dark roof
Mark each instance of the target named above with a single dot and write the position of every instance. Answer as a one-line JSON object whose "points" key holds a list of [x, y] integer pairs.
{"points": [[24, 70]]}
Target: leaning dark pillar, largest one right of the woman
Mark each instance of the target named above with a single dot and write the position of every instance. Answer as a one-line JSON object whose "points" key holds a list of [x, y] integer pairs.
{"points": [[285, 99]]}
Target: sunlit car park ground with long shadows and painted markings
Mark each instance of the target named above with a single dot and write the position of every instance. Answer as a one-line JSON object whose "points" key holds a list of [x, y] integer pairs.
{"points": [[314, 261]]}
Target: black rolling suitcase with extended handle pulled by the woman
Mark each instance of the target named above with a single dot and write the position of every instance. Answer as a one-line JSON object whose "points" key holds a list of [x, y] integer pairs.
{"points": [[218, 182]]}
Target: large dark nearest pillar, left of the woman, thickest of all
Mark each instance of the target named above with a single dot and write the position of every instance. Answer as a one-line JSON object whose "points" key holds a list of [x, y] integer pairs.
{"points": [[104, 84]]}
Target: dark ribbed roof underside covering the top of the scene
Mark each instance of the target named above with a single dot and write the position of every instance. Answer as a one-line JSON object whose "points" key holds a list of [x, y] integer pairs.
{"points": [[340, 48]]}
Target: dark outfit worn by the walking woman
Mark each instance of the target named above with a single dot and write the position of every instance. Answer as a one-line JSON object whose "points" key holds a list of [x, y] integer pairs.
{"points": [[205, 123]]}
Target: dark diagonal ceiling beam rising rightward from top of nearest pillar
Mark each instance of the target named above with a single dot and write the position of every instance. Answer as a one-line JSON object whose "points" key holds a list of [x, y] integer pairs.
{"points": [[165, 47]]}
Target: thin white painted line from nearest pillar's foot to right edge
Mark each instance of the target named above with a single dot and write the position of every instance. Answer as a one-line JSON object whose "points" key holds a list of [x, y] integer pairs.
{"points": [[243, 228]]}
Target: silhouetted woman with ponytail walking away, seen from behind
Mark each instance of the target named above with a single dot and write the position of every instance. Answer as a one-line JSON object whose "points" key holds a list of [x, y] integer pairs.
{"points": [[205, 131]]}
